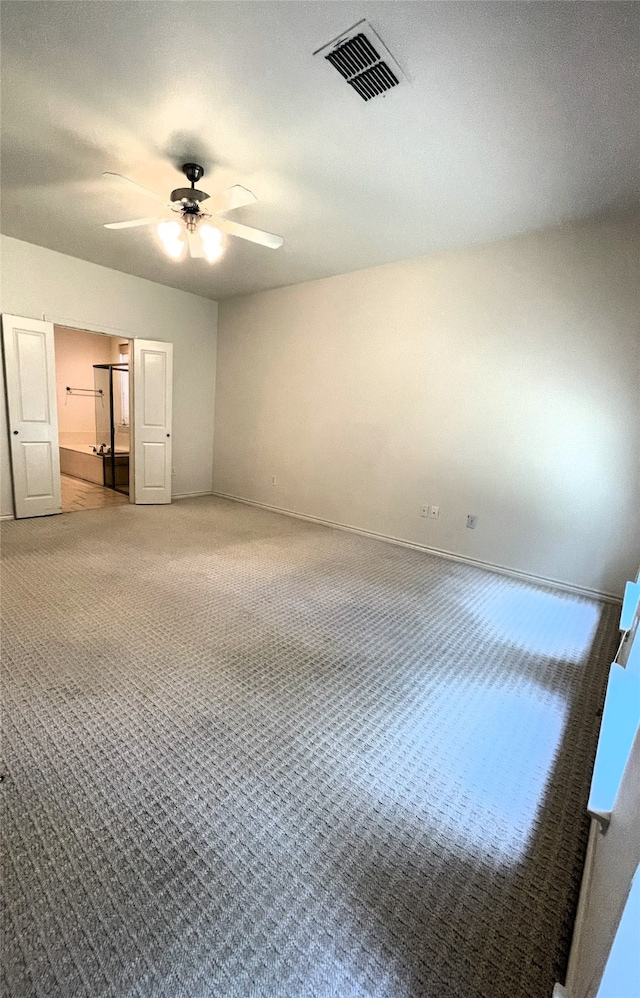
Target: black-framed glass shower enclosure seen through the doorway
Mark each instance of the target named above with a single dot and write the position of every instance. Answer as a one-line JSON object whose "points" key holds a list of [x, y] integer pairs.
{"points": [[112, 423]]}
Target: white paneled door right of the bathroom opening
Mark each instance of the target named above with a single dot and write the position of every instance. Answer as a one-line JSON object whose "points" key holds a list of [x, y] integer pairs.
{"points": [[152, 373]]}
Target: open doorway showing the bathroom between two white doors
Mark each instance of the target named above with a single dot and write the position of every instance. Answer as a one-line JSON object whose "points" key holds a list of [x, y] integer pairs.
{"points": [[94, 424]]}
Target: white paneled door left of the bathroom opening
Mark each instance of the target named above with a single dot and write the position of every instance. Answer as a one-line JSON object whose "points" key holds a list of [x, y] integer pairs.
{"points": [[33, 415]]}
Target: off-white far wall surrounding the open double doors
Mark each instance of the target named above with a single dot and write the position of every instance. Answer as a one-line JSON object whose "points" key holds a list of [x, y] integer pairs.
{"points": [[38, 282]]}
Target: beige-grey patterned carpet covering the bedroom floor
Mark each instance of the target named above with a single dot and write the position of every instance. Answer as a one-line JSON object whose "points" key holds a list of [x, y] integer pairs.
{"points": [[252, 756]]}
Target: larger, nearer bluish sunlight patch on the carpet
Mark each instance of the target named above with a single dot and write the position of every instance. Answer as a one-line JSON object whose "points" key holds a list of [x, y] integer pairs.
{"points": [[481, 756]]}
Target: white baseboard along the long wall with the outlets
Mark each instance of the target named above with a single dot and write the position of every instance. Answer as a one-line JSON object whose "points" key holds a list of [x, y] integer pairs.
{"points": [[439, 552]]}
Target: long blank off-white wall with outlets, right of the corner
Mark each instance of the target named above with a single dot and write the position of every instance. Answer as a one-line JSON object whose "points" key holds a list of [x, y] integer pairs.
{"points": [[501, 380]]}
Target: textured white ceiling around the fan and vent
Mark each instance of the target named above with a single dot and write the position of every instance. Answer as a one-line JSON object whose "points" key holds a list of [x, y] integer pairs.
{"points": [[517, 116]]}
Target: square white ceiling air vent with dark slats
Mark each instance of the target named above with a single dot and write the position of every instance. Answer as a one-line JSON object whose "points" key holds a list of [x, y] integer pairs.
{"points": [[363, 60]]}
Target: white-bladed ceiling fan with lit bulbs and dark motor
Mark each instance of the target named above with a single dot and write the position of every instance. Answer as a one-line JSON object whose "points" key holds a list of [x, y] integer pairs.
{"points": [[204, 237]]}
